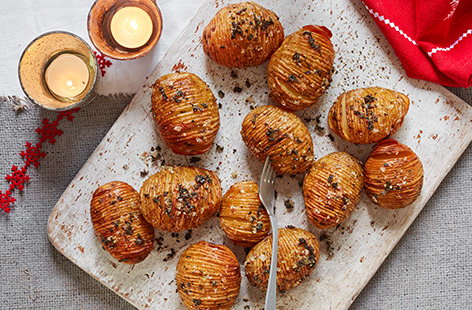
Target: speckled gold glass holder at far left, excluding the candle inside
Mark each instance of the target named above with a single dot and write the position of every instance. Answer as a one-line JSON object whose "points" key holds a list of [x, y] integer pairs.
{"points": [[38, 55]]}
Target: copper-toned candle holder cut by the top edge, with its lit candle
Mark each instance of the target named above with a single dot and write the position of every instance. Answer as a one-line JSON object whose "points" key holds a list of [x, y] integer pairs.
{"points": [[124, 29]]}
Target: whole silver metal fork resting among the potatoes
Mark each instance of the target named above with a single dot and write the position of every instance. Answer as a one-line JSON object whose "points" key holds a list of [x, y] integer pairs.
{"points": [[267, 197]]}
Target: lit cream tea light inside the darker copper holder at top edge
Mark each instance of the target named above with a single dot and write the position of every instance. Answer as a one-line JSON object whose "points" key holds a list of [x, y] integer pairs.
{"points": [[131, 27]]}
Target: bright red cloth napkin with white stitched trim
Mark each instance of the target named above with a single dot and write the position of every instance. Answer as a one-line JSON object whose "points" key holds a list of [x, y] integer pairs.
{"points": [[432, 38]]}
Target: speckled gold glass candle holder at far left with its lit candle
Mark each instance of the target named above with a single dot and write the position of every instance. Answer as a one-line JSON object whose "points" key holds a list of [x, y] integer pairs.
{"points": [[58, 71]]}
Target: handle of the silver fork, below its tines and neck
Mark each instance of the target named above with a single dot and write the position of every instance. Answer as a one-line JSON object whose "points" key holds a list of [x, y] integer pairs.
{"points": [[271, 294]]}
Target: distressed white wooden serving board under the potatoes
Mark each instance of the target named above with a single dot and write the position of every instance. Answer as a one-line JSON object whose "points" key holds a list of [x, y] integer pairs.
{"points": [[437, 128]]}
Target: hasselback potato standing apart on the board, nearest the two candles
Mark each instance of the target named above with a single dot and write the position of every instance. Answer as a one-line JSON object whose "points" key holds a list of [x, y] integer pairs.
{"points": [[186, 113]]}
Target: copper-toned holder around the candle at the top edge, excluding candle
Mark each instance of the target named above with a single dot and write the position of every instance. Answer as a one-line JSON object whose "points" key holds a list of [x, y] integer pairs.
{"points": [[98, 24]]}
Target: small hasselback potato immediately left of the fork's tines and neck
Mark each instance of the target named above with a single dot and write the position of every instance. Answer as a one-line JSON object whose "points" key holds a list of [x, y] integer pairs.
{"points": [[242, 216]]}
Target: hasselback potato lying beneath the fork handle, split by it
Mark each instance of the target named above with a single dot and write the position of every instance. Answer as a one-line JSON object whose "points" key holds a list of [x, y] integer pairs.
{"points": [[297, 258]]}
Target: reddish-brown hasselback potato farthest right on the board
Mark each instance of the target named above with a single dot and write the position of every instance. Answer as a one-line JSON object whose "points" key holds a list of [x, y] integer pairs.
{"points": [[393, 175]]}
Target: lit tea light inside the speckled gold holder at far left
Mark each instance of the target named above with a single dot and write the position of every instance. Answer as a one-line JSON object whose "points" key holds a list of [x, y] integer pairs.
{"points": [[67, 75]]}
